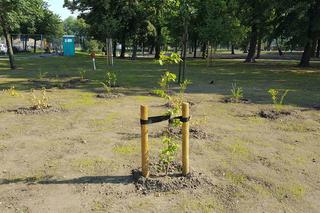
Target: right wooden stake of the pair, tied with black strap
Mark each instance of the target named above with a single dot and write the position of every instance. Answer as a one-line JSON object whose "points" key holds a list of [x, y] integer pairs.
{"points": [[185, 139]]}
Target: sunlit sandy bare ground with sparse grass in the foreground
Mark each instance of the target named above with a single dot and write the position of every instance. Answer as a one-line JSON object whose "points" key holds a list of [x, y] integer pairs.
{"points": [[80, 159]]}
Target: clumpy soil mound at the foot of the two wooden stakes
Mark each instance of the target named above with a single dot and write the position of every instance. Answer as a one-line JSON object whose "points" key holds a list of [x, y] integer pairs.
{"points": [[158, 182]]}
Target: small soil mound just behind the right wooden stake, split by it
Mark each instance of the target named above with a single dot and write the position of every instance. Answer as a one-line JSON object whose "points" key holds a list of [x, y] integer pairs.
{"points": [[195, 132]]}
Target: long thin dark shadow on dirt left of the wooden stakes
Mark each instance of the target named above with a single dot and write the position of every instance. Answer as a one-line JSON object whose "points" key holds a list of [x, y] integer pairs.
{"points": [[47, 180]]}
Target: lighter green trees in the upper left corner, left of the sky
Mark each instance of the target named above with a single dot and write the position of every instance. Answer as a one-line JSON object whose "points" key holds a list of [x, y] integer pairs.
{"points": [[28, 17]]}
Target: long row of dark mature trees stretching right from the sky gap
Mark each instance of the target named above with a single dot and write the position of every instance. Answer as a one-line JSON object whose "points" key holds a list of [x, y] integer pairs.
{"points": [[244, 24]]}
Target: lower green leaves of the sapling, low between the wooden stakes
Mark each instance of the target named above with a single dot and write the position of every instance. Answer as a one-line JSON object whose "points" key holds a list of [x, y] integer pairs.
{"points": [[168, 153]]}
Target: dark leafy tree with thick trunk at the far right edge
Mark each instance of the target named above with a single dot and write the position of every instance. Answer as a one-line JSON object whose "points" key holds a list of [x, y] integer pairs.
{"points": [[298, 23]]}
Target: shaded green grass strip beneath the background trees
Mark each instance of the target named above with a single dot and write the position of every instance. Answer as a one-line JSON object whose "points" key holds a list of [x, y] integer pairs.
{"points": [[255, 79]]}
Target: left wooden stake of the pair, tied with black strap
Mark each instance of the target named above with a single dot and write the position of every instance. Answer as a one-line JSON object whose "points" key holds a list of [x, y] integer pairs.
{"points": [[144, 142]]}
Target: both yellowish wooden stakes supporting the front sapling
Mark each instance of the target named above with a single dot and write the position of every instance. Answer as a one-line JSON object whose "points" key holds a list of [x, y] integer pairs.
{"points": [[185, 139]]}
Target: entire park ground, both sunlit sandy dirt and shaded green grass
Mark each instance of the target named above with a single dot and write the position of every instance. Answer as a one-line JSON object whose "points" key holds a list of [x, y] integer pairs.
{"points": [[83, 151]]}
